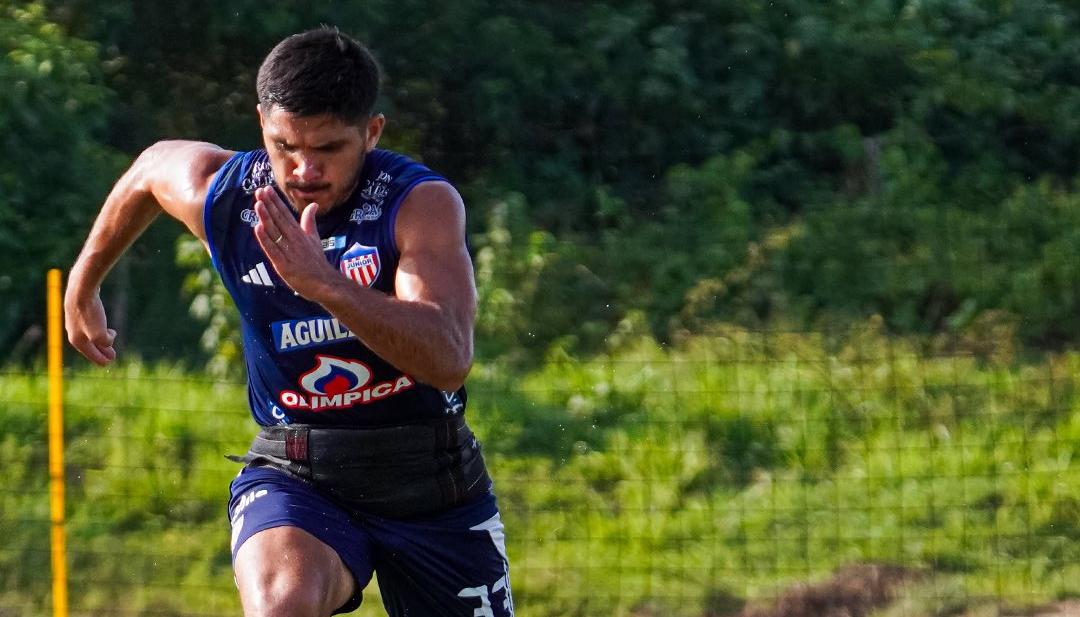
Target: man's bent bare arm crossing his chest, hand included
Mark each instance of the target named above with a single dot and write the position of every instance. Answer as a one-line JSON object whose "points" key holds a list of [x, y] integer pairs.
{"points": [[427, 329]]}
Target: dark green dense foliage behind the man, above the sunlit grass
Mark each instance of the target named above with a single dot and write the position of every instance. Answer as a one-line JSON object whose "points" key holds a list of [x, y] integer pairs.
{"points": [[772, 165]]}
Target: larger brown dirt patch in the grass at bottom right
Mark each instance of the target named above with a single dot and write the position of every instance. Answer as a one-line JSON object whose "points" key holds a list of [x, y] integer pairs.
{"points": [[854, 592]]}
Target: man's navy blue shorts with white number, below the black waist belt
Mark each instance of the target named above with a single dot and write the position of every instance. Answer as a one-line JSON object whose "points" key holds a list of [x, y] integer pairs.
{"points": [[454, 564]]}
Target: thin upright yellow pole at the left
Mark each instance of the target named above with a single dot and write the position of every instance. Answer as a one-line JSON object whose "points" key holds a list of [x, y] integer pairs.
{"points": [[57, 445]]}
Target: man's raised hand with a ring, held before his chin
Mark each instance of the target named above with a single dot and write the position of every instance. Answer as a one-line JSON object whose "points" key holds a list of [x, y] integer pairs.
{"points": [[295, 251]]}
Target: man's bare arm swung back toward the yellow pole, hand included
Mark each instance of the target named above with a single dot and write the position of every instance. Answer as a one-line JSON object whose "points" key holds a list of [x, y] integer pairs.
{"points": [[170, 177]]}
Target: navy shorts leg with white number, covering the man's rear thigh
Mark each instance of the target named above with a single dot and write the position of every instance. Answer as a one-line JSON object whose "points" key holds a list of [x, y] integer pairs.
{"points": [[454, 565]]}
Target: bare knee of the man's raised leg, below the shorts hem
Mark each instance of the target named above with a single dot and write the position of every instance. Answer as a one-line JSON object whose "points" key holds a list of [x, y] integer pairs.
{"points": [[286, 572]]}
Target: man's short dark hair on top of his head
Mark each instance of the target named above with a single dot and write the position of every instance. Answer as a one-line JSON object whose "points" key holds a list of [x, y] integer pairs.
{"points": [[320, 72]]}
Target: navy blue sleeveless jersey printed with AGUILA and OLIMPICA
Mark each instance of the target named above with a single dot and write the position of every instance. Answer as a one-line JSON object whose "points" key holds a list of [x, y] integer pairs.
{"points": [[303, 365]]}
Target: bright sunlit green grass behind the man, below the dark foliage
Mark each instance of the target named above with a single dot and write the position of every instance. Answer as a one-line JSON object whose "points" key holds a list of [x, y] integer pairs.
{"points": [[681, 480]]}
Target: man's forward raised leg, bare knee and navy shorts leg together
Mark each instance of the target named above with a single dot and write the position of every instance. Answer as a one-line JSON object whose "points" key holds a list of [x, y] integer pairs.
{"points": [[291, 543]]}
